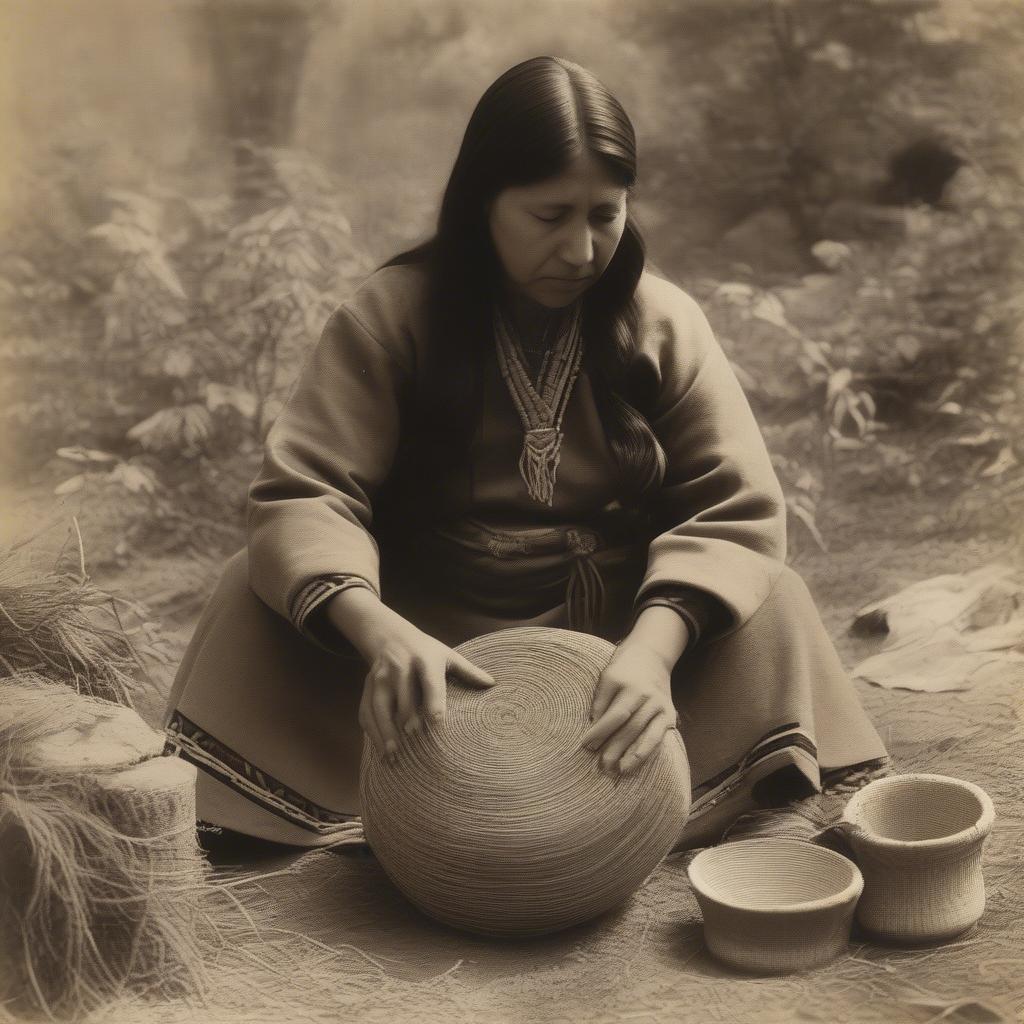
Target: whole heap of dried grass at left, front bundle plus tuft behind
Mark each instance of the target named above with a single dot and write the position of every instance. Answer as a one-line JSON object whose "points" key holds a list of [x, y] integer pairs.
{"points": [[100, 869]]}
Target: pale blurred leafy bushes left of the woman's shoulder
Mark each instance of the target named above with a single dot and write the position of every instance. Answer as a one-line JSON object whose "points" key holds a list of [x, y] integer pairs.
{"points": [[170, 367]]}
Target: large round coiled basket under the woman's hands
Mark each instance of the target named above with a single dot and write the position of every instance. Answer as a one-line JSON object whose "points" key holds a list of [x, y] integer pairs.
{"points": [[496, 821]]}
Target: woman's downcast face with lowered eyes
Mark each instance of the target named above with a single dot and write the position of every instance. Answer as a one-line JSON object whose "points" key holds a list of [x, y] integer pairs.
{"points": [[556, 239]]}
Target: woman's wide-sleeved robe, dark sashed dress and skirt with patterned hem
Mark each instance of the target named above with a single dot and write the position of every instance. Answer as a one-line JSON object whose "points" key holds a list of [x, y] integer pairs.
{"points": [[266, 700]]}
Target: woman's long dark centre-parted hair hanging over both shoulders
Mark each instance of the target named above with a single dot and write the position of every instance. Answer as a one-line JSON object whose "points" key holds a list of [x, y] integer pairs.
{"points": [[528, 127]]}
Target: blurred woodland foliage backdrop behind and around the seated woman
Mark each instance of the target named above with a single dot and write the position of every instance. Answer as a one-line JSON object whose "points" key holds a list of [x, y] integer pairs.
{"points": [[190, 187]]}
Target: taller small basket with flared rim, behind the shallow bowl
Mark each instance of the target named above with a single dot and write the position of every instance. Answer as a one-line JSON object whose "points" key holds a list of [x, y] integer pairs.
{"points": [[919, 840]]}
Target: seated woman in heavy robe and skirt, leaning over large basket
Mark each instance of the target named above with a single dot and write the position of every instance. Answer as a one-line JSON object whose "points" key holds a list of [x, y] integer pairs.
{"points": [[514, 424]]}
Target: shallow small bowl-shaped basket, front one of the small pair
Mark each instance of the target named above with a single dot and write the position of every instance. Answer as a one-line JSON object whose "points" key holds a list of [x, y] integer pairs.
{"points": [[776, 906]]}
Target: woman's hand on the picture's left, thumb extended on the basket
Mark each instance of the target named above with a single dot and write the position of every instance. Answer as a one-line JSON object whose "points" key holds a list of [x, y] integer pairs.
{"points": [[407, 686]]}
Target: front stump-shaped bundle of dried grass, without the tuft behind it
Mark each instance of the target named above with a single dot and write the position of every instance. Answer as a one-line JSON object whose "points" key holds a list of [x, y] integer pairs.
{"points": [[99, 865]]}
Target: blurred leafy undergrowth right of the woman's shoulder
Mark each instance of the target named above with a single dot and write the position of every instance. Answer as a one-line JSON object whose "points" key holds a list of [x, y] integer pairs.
{"points": [[899, 369]]}
